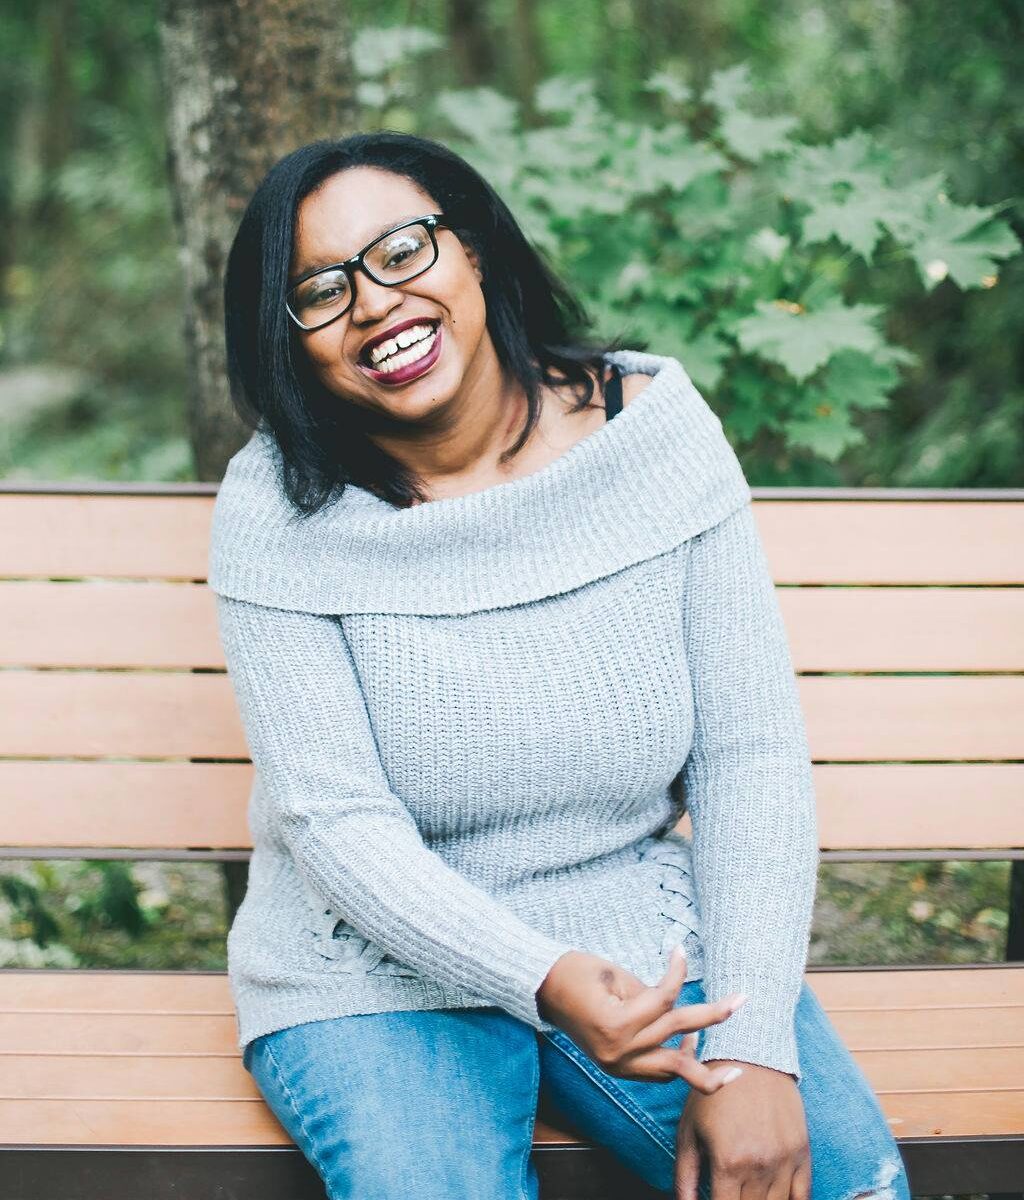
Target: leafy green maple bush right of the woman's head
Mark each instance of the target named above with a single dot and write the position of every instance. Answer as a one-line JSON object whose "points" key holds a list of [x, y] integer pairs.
{"points": [[735, 250]]}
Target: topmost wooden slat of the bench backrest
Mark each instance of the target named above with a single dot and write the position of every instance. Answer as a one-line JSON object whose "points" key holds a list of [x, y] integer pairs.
{"points": [[807, 542]]}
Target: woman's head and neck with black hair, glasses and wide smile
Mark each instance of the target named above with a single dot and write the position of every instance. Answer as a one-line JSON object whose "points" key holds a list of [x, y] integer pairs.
{"points": [[403, 352]]}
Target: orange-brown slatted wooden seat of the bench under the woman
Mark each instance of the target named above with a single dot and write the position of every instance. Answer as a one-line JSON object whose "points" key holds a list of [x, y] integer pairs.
{"points": [[104, 1058]]}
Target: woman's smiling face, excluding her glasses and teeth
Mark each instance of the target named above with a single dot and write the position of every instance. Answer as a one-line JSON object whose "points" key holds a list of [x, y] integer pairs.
{"points": [[336, 223]]}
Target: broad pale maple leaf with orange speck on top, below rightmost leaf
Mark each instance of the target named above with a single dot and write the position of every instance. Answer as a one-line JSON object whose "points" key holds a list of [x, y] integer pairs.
{"points": [[803, 341]]}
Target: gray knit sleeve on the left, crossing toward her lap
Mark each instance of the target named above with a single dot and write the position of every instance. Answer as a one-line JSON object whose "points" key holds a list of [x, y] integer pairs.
{"points": [[352, 839]]}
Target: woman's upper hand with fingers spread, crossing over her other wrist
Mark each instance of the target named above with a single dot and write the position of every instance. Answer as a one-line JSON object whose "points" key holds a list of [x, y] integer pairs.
{"points": [[621, 1023]]}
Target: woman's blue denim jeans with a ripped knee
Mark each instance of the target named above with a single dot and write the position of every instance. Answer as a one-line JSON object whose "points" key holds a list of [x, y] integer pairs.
{"points": [[441, 1106]]}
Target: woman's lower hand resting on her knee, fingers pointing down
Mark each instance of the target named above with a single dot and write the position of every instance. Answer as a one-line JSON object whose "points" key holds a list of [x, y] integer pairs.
{"points": [[754, 1136]]}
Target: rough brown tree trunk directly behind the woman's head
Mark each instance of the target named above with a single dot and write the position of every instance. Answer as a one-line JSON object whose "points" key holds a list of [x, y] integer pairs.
{"points": [[245, 81]]}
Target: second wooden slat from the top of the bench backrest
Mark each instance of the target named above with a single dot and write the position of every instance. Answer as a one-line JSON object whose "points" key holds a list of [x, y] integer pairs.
{"points": [[133, 625]]}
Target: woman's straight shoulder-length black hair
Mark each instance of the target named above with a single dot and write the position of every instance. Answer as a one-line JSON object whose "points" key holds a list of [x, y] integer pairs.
{"points": [[537, 326]]}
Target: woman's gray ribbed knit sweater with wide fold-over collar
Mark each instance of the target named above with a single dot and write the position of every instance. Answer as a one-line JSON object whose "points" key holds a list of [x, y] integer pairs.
{"points": [[468, 718]]}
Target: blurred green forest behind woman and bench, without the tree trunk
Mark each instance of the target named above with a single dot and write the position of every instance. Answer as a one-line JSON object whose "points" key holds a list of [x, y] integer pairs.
{"points": [[818, 208]]}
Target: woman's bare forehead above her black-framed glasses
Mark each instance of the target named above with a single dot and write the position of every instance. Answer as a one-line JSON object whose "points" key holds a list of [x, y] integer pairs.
{"points": [[351, 209]]}
